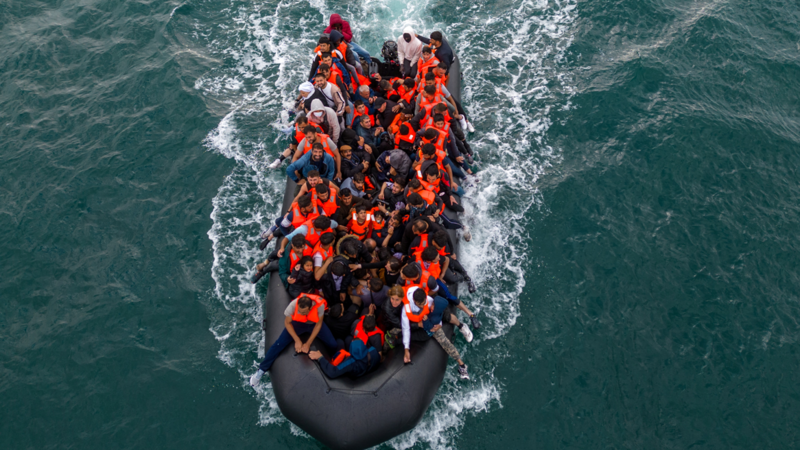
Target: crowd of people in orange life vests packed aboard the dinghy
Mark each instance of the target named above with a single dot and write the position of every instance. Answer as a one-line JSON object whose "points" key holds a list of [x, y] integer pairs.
{"points": [[378, 153]]}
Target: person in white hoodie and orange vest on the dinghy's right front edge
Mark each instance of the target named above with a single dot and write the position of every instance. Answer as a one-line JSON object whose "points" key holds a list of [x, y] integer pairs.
{"points": [[422, 319]]}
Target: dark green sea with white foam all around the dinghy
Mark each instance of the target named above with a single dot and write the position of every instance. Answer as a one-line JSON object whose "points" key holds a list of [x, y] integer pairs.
{"points": [[635, 224]]}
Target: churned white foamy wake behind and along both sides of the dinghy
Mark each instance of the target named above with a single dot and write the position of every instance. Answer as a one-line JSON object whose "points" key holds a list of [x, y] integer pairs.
{"points": [[514, 78]]}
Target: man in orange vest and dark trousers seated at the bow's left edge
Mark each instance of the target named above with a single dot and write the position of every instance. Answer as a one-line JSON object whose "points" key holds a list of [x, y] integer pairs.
{"points": [[303, 315]]}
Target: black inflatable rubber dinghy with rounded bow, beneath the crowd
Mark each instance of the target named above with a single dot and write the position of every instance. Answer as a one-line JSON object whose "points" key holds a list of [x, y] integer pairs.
{"points": [[348, 413]]}
